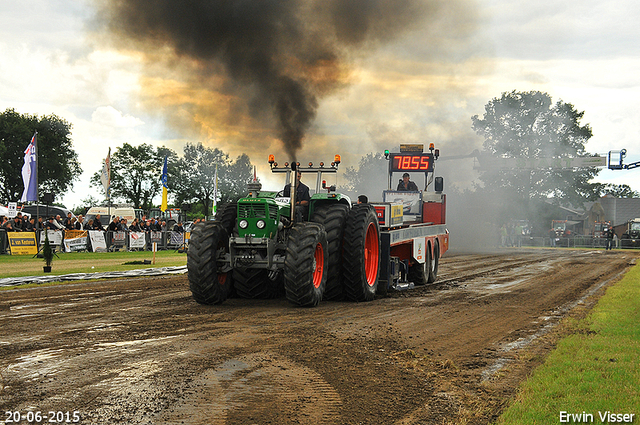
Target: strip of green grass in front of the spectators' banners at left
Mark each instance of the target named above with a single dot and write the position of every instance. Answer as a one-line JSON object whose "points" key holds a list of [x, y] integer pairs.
{"points": [[87, 262]]}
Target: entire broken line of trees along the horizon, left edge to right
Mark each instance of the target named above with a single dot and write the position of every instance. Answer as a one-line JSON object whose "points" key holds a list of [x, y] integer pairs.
{"points": [[515, 125]]}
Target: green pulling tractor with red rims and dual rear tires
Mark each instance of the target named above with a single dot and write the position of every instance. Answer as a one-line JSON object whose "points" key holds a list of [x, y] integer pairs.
{"points": [[260, 247]]}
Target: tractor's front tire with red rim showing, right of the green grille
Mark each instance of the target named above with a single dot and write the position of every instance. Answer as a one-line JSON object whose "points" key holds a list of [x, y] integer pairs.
{"points": [[305, 266]]}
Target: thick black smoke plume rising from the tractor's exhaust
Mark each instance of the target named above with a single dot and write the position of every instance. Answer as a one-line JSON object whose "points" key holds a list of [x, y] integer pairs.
{"points": [[287, 54]]}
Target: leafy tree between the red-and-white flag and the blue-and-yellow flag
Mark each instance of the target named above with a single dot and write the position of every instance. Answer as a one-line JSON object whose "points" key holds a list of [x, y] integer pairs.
{"points": [[136, 172]]}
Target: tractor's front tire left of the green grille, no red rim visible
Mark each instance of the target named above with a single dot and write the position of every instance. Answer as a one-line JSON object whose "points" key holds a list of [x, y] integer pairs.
{"points": [[209, 241]]}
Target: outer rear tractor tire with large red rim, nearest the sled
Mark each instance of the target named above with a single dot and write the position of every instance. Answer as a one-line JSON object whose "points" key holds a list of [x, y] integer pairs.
{"points": [[361, 258]]}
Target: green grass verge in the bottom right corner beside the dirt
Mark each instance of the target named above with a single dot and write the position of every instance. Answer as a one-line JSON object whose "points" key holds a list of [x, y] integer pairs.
{"points": [[594, 370]]}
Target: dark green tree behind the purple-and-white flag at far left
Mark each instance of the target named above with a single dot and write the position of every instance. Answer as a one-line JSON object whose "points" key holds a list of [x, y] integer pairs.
{"points": [[58, 165]]}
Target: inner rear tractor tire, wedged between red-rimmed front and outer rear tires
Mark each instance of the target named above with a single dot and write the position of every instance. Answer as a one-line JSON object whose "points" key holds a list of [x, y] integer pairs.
{"points": [[333, 218]]}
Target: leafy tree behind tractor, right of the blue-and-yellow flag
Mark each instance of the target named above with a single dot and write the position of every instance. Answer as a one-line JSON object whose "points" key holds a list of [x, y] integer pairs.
{"points": [[198, 169]]}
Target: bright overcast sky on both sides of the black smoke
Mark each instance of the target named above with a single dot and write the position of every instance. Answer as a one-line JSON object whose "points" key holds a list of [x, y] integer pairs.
{"points": [[422, 86]]}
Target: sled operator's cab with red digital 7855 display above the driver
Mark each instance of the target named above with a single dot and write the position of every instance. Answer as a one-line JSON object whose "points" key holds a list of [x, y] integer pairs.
{"points": [[417, 203]]}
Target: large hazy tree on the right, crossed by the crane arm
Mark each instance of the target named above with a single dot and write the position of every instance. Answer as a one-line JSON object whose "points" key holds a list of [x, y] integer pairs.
{"points": [[528, 125]]}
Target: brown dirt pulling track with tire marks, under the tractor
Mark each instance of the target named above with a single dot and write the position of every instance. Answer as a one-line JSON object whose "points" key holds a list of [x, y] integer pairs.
{"points": [[142, 351]]}
